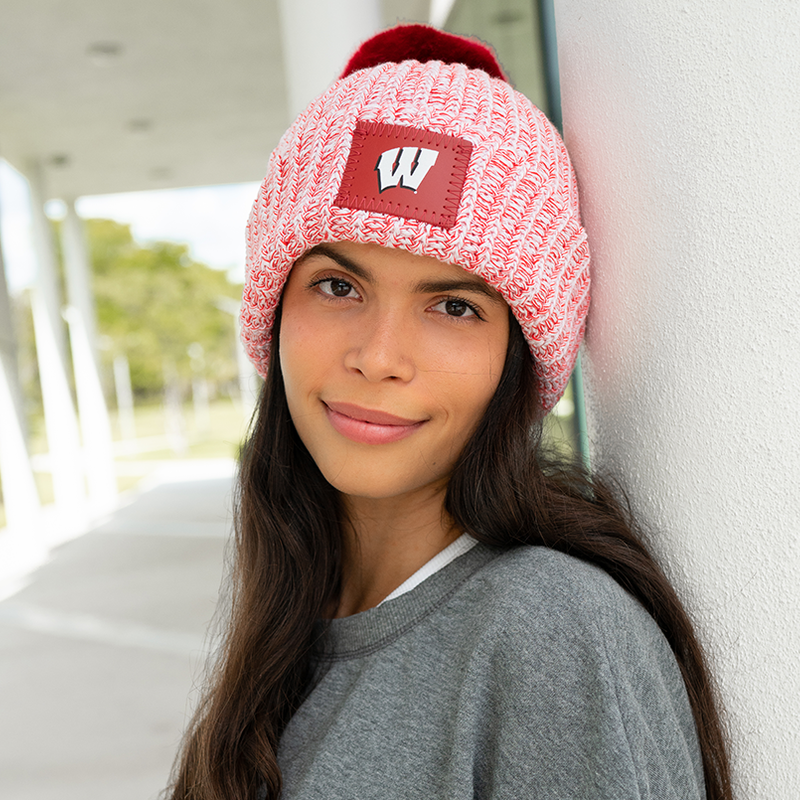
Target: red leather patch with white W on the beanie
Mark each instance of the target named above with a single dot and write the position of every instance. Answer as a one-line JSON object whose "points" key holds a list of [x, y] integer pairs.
{"points": [[406, 172]]}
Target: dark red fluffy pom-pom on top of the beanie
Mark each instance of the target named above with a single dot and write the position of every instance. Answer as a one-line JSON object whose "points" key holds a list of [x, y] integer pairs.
{"points": [[423, 43]]}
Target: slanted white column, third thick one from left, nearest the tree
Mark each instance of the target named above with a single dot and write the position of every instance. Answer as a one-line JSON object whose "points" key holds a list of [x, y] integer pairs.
{"points": [[92, 409]]}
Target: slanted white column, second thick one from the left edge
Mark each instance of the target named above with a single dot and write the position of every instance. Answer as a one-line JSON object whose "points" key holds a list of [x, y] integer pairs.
{"points": [[61, 424]]}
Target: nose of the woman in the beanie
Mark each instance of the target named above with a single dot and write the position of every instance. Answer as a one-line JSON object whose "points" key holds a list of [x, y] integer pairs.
{"points": [[383, 349]]}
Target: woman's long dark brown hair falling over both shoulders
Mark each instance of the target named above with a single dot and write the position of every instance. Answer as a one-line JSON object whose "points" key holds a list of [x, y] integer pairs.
{"points": [[287, 571]]}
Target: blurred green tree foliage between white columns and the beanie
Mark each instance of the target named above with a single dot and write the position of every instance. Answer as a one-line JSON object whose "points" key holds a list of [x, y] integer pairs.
{"points": [[153, 303]]}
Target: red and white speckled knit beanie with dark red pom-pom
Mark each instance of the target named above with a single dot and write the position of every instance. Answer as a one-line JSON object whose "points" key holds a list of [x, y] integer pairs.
{"points": [[423, 145]]}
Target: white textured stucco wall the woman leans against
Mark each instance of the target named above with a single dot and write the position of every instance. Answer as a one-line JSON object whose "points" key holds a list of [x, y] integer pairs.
{"points": [[683, 120]]}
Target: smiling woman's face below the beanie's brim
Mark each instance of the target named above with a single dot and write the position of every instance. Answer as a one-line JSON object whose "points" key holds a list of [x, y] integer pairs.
{"points": [[389, 361]]}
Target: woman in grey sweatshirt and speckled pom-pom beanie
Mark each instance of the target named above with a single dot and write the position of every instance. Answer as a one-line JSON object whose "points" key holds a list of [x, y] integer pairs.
{"points": [[422, 605]]}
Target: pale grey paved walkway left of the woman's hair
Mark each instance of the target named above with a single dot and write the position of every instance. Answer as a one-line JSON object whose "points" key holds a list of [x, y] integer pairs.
{"points": [[100, 650]]}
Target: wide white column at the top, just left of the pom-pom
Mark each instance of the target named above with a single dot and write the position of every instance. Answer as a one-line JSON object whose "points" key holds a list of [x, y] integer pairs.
{"points": [[318, 38]]}
